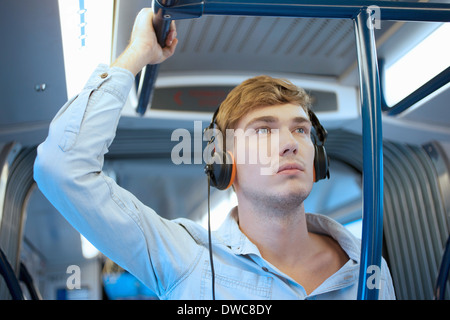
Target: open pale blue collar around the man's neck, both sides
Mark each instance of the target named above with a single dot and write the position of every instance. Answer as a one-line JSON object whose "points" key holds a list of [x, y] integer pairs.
{"points": [[230, 234]]}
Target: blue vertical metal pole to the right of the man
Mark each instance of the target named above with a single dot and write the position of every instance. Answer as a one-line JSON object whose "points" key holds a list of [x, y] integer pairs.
{"points": [[372, 234]]}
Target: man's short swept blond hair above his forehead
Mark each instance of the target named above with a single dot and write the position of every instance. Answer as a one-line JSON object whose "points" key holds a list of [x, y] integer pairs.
{"points": [[260, 91]]}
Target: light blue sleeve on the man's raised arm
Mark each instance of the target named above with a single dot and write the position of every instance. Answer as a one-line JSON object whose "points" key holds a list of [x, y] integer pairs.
{"points": [[68, 171]]}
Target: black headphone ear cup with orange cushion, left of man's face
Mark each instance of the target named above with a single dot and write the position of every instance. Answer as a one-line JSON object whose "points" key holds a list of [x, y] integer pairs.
{"points": [[223, 174]]}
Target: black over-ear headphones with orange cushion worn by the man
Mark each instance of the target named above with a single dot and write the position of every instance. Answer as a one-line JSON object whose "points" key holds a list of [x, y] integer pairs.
{"points": [[222, 169]]}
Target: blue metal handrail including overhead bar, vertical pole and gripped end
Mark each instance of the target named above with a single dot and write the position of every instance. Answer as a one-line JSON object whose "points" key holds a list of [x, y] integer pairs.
{"points": [[369, 79]]}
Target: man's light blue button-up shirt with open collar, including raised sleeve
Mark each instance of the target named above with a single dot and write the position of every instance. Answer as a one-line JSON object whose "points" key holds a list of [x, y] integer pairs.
{"points": [[170, 257]]}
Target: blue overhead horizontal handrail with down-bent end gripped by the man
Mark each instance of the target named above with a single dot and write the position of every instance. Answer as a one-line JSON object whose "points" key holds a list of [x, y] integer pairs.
{"points": [[168, 10]]}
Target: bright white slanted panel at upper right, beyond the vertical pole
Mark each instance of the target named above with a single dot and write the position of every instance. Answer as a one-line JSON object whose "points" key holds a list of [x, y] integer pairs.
{"points": [[415, 68]]}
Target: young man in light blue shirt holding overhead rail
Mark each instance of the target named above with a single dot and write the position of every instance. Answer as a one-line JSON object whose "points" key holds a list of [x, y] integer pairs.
{"points": [[268, 247]]}
